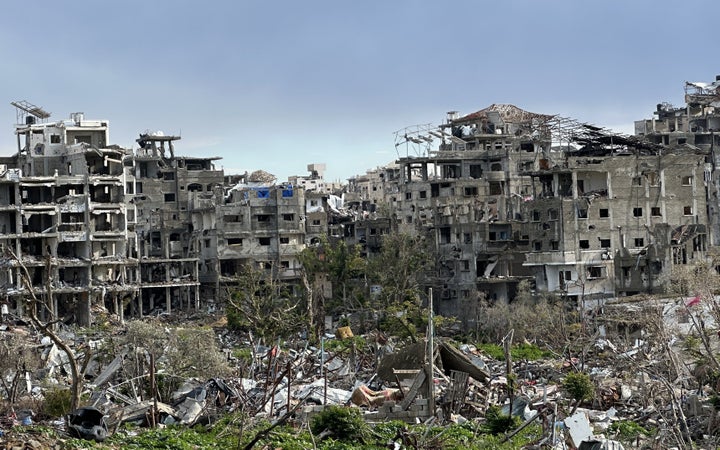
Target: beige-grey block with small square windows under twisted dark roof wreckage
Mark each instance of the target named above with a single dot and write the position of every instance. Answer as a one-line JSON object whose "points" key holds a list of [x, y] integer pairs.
{"points": [[608, 221]]}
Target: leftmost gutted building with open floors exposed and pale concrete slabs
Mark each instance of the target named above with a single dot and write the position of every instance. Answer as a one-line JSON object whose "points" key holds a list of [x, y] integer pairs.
{"points": [[64, 217]]}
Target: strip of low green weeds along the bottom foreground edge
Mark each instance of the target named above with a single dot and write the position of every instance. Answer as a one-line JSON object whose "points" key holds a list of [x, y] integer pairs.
{"points": [[349, 432]]}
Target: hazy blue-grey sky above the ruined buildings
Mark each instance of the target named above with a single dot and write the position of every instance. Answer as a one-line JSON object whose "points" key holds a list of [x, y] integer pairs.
{"points": [[278, 85]]}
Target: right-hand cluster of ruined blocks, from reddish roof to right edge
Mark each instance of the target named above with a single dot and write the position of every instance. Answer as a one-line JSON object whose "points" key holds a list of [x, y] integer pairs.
{"points": [[578, 210]]}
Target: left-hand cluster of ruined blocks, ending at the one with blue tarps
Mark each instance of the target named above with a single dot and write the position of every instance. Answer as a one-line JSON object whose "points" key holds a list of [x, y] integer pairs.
{"points": [[136, 231]]}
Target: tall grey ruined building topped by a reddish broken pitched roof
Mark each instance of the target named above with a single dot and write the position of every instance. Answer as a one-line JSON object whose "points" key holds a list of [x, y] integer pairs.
{"points": [[468, 196]]}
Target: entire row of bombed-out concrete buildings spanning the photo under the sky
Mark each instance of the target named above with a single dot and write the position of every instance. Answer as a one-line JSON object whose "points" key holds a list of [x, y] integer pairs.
{"points": [[506, 195]]}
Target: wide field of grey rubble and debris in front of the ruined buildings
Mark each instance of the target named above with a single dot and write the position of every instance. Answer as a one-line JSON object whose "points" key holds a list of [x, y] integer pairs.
{"points": [[385, 378]]}
